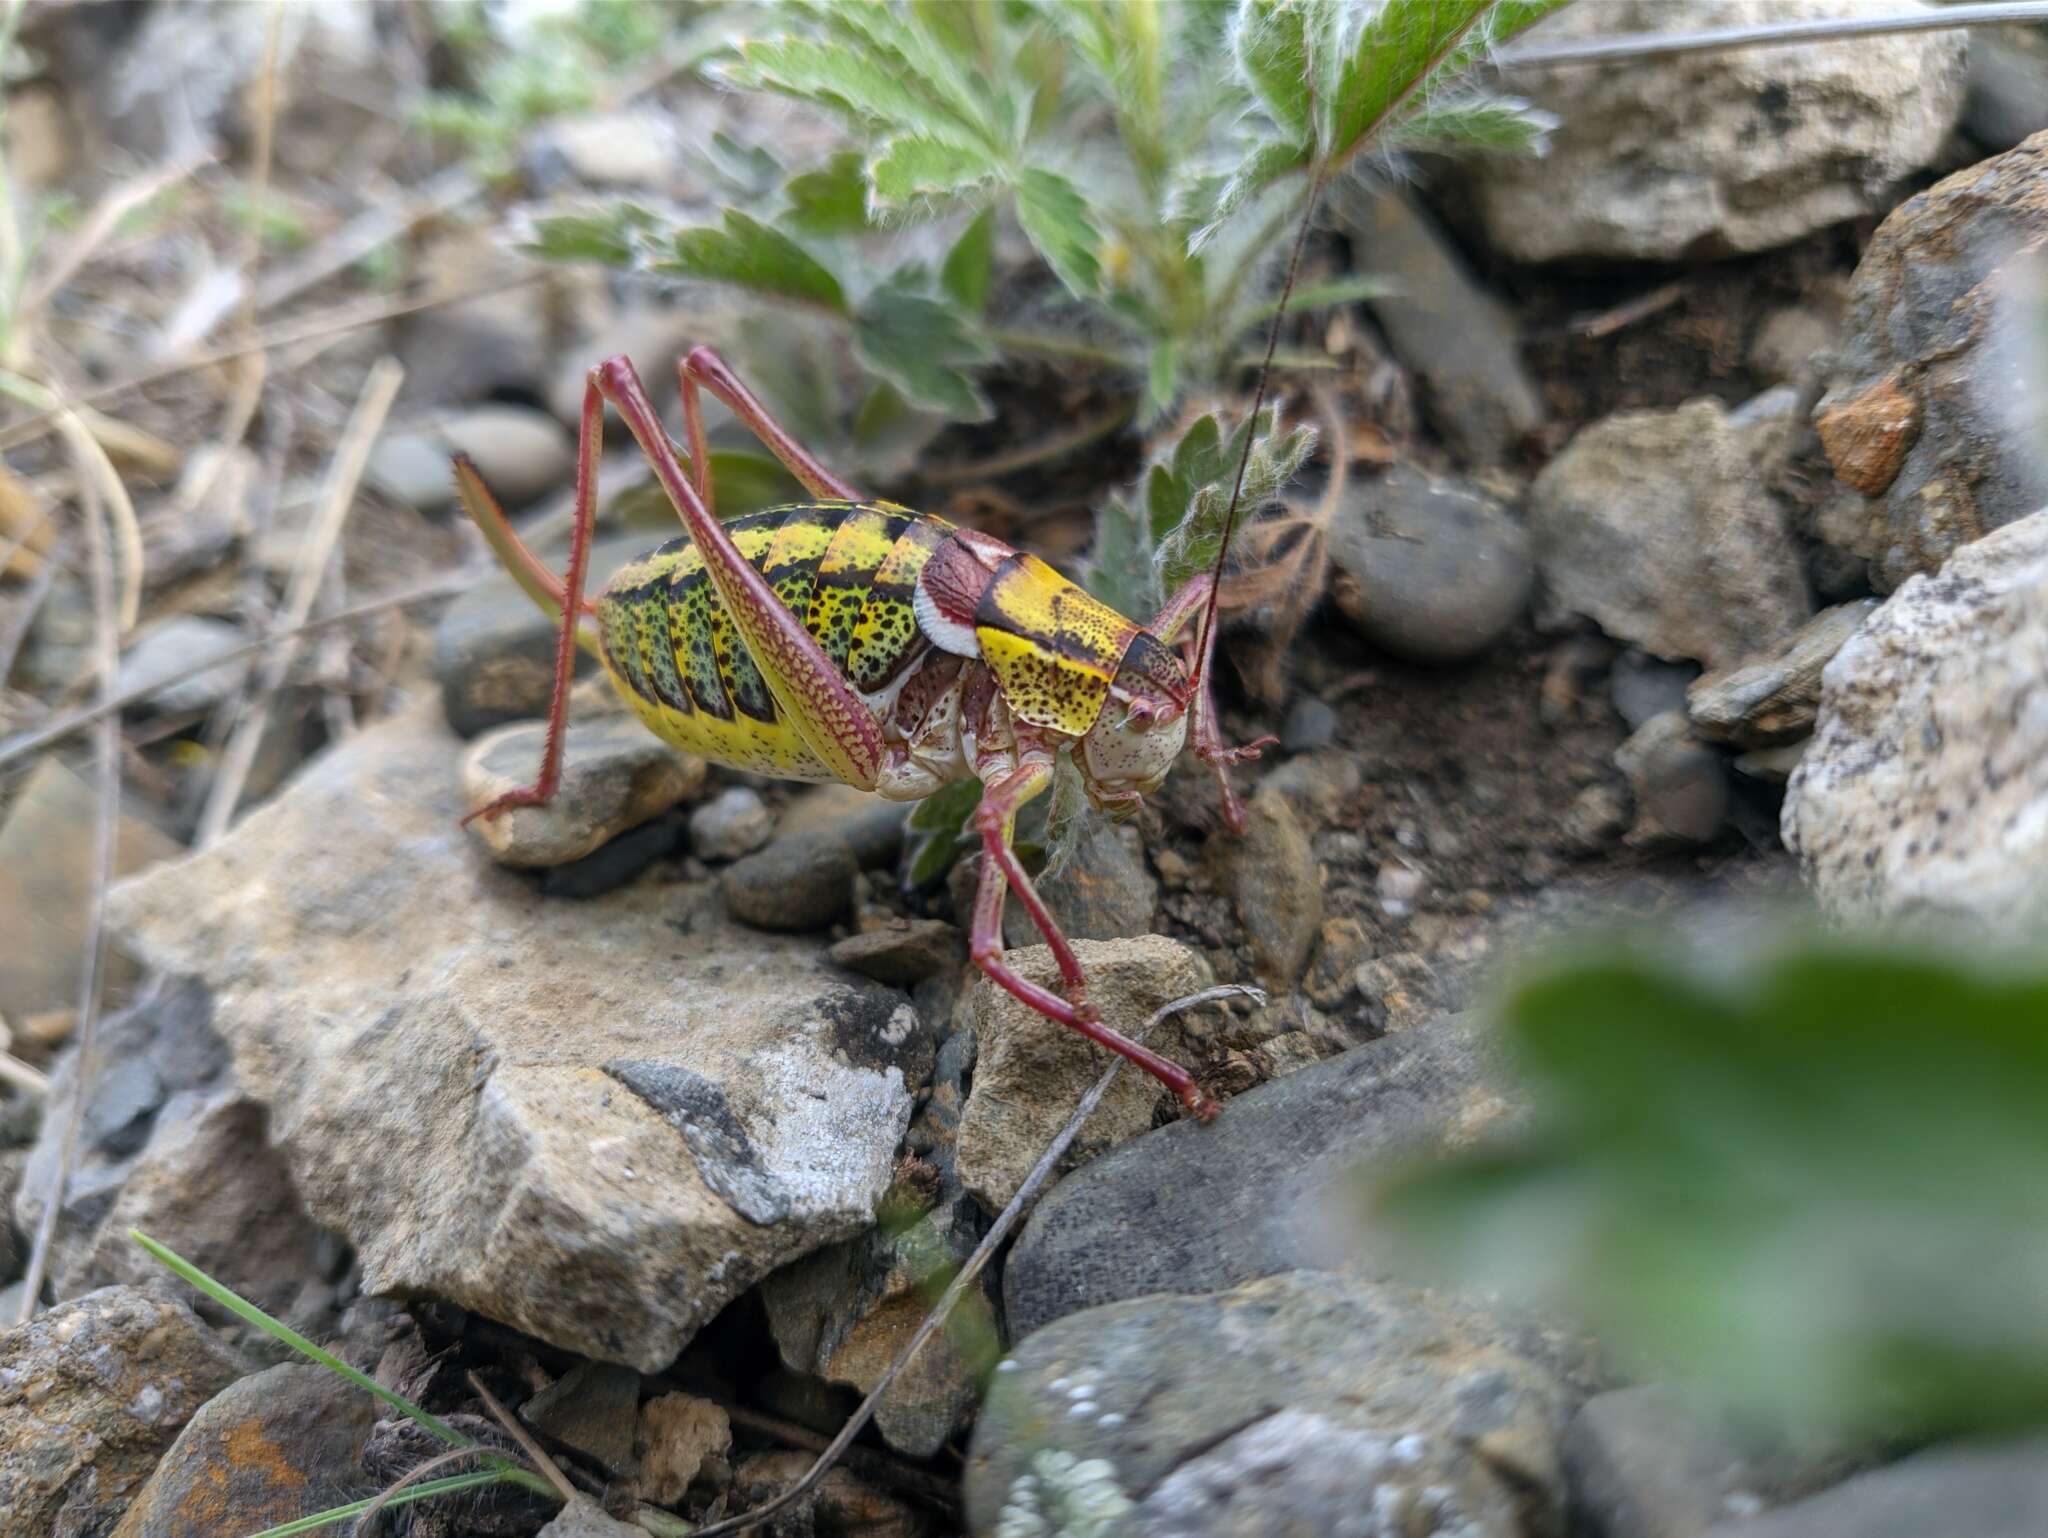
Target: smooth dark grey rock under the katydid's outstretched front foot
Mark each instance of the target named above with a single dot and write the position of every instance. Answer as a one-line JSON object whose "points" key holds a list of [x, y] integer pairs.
{"points": [[1250, 1195]]}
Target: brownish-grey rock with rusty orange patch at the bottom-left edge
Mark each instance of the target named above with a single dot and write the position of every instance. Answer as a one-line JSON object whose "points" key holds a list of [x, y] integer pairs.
{"points": [[265, 1451]]}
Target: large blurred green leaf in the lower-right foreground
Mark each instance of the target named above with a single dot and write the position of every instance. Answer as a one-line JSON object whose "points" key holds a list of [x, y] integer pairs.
{"points": [[1811, 1181]]}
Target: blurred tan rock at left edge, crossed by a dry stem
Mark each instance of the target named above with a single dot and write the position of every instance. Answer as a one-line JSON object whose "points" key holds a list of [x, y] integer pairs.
{"points": [[46, 890]]}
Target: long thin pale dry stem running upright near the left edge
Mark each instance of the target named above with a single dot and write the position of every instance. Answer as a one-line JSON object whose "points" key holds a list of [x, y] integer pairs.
{"points": [[103, 863]]}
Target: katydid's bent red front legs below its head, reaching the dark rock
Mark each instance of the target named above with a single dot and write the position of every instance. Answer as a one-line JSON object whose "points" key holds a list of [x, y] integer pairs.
{"points": [[996, 820]]}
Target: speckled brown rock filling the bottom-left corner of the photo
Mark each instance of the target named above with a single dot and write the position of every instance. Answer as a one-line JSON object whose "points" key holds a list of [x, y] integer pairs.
{"points": [[91, 1396]]}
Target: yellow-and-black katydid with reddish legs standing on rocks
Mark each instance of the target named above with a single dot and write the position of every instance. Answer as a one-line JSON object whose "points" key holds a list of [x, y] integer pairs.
{"points": [[861, 642]]}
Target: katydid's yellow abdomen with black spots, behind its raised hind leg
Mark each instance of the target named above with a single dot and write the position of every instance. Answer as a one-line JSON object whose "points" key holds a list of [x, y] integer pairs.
{"points": [[843, 568]]}
